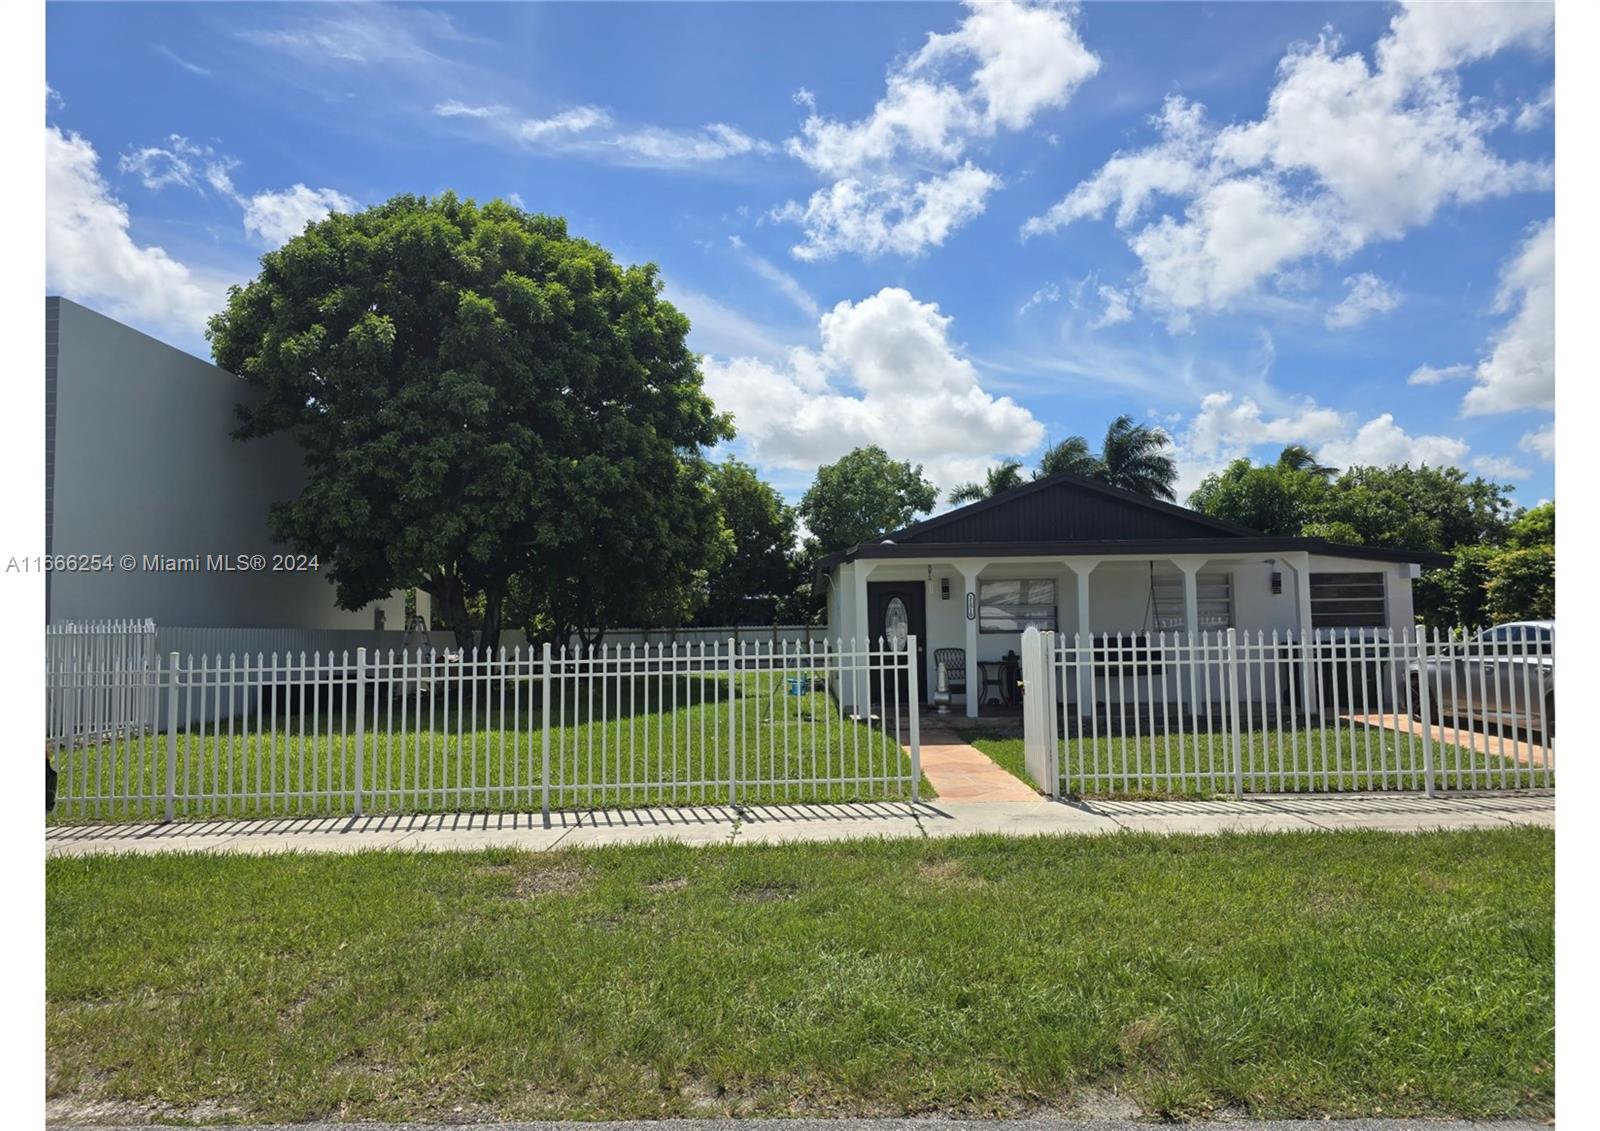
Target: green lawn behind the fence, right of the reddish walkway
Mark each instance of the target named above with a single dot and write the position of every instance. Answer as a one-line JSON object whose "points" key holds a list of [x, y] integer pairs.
{"points": [[1194, 767]]}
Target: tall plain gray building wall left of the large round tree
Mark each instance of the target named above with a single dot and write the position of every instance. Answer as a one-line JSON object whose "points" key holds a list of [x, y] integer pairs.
{"points": [[143, 463]]}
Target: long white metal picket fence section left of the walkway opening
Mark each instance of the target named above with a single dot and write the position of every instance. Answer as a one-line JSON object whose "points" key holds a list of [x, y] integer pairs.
{"points": [[359, 732]]}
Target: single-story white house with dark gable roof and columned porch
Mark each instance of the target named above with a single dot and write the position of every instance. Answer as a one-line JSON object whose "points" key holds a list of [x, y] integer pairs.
{"points": [[1081, 558]]}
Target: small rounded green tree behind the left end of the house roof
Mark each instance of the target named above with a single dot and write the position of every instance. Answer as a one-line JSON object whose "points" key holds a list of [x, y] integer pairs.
{"points": [[863, 497]]}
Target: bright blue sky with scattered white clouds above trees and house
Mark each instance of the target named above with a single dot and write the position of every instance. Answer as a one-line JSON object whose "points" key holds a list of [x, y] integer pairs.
{"points": [[954, 231]]}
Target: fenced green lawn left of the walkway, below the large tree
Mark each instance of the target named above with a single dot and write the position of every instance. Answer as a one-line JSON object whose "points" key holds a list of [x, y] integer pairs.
{"points": [[654, 741]]}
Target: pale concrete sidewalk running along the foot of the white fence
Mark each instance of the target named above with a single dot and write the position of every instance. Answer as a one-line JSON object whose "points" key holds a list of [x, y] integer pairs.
{"points": [[809, 823]]}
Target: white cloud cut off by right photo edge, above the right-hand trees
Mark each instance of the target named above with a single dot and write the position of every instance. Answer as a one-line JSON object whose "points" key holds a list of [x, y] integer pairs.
{"points": [[1521, 370]]}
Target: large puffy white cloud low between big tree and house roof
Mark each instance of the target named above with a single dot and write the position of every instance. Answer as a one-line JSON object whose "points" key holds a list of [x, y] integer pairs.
{"points": [[886, 374]]}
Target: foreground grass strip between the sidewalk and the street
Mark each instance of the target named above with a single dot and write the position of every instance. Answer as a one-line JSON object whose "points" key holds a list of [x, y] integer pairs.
{"points": [[1287, 975]]}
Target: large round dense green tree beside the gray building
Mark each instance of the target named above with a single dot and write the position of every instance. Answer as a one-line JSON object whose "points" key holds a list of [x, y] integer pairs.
{"points": [[479, 396]]}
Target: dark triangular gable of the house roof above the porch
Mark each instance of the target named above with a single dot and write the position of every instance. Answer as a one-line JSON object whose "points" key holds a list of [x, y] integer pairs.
{"points": [[1066, 508]]}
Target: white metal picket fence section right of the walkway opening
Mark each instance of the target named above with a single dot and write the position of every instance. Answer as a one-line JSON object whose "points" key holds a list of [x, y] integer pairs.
{"points": [[1238, 713]]}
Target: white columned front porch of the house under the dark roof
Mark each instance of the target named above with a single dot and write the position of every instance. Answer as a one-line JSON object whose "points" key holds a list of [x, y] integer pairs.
{"points": [[970, 613]]}
